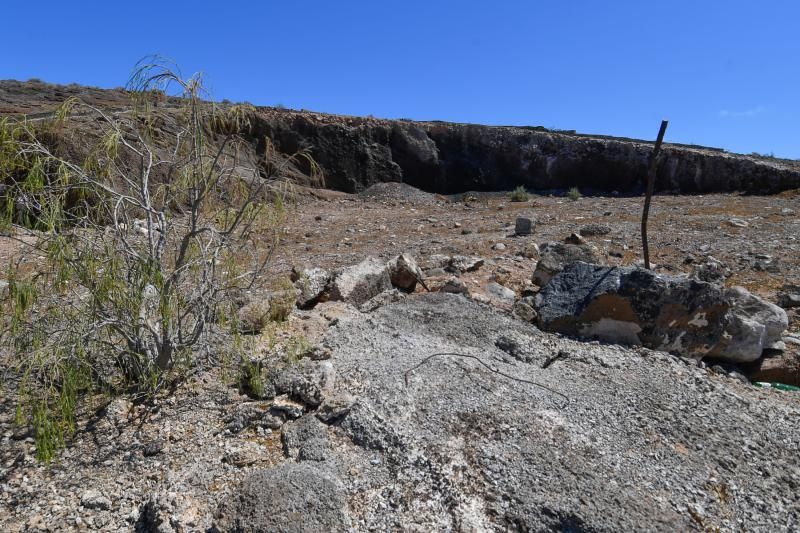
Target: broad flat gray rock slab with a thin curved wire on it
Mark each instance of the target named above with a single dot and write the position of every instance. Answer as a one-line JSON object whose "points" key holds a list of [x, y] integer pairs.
{"points": [[444, 443]]}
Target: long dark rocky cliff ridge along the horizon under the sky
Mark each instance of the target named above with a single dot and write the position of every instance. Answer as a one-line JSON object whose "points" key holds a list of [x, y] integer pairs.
{"points": [[355, 153]]}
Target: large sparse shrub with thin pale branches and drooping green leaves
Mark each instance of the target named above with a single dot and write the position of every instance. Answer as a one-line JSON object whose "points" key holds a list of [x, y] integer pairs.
{"points": [[147, 241]]}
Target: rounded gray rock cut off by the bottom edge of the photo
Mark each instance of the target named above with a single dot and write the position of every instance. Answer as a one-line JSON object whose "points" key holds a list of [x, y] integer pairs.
{"points": [[288, 498]]}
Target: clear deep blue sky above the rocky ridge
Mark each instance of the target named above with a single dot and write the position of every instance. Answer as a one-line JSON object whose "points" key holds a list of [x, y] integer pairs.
{"points": [[724, 72]]}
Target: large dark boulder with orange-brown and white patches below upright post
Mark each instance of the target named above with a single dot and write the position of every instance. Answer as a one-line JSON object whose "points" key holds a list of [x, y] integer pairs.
{"points": [[631, 305]]}
